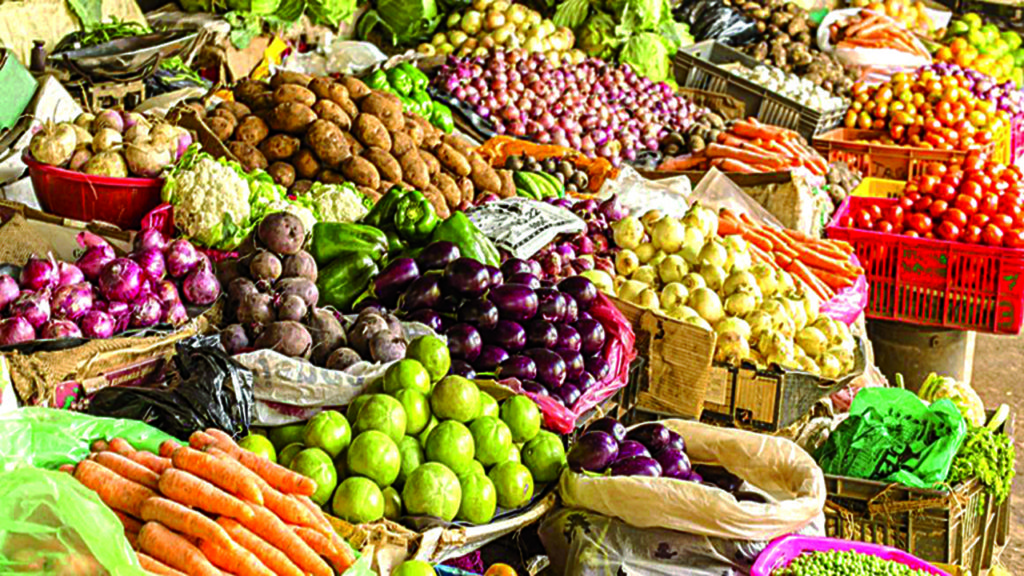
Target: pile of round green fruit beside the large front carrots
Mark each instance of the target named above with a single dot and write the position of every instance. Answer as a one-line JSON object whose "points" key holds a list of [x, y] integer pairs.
{"points": [[422, 443]]}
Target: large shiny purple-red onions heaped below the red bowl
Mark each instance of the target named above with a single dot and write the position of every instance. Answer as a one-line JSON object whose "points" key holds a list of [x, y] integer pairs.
{"points": [[101, 295]]}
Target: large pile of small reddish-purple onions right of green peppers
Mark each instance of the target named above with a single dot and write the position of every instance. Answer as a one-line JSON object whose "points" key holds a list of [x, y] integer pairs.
{"points": [[600, 109]]}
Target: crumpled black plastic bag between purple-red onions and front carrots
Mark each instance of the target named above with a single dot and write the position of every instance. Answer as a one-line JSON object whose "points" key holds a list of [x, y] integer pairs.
{"points": [[204, 389]]}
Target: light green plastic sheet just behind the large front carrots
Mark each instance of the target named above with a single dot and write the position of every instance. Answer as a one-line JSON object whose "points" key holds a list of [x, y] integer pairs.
{"points": [[48, 439]]}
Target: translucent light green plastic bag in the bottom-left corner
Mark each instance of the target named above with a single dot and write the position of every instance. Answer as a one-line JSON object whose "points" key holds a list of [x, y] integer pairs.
{"points": [[53, 525]]}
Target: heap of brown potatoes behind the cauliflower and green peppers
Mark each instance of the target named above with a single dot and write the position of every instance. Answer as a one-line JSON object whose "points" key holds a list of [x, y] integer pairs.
{"points": [[301, 130]]}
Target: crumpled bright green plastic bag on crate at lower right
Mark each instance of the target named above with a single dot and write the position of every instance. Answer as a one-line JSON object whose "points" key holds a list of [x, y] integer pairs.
{"points": [[892, 436]]}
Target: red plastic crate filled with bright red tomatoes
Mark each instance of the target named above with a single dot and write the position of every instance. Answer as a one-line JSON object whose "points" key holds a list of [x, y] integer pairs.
{"points": [[934, 282]]}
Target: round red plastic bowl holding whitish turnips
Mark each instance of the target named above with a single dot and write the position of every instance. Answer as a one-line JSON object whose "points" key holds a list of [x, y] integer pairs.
{"points": [[122, 202]]}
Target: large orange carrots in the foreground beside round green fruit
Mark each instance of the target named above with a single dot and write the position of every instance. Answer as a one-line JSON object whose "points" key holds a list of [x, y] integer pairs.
{"points": [[212, 509]]}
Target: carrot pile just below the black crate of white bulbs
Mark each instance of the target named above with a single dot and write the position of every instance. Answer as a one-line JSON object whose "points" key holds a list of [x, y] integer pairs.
{"points": [[750, 147]]}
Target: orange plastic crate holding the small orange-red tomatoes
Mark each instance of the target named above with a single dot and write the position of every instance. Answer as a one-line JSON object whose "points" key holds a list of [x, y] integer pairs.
{"points": [[882, 161]]}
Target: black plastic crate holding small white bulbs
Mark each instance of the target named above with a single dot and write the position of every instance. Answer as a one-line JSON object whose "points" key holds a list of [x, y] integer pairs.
{"points": [[702, 66]]}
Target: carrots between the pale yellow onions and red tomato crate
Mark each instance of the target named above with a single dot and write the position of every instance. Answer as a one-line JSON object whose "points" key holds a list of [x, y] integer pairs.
{"points": [[822, 267]]}
